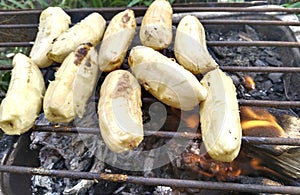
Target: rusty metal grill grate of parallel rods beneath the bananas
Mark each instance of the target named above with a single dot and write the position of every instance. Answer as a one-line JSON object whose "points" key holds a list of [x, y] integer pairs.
{"points": [[32, 16]]}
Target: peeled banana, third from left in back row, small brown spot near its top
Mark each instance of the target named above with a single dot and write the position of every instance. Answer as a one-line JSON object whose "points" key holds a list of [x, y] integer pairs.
{"points": [[116, 40]]}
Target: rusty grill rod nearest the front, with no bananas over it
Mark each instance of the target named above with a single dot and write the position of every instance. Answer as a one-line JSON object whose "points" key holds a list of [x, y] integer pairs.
{"points": [[254, 188]]}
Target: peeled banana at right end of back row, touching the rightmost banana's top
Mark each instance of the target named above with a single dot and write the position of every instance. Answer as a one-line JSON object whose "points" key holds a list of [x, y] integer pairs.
{"points": [[190, 46]]}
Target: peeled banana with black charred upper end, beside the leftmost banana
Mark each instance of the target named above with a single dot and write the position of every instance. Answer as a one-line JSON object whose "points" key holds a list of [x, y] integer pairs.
{"points": [[77, 70]]}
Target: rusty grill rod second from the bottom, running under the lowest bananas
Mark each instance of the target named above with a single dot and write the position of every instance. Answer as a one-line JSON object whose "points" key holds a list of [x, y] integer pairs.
{"points": [[168, 135]]}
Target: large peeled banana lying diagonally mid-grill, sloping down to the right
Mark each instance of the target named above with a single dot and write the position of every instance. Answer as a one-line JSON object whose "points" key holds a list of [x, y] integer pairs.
{"points": [[165, 79]]}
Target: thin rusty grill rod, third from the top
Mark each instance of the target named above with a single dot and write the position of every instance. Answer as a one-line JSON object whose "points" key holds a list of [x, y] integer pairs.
{"points": [[210, 43]]}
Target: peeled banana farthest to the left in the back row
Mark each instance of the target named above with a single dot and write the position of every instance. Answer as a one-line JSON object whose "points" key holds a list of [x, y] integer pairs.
{"points": [[53, 22]]}
